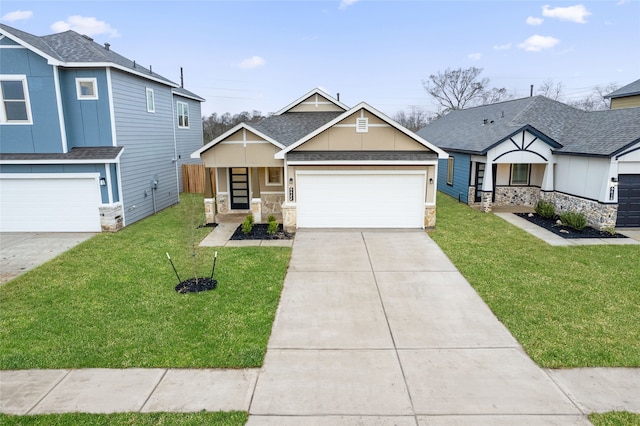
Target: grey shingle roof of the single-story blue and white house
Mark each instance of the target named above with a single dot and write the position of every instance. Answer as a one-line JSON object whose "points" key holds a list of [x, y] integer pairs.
{"points": [[567, 129]]}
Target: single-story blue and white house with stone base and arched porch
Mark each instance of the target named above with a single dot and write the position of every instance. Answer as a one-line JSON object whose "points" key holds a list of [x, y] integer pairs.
{"points": [[517, 152]]}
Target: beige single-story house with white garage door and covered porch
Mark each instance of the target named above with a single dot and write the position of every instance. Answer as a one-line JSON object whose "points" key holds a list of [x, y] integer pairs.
{"points": [[318, 163]]}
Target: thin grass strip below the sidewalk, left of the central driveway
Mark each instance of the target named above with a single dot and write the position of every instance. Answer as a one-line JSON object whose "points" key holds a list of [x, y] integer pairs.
{"points": [[235, 418]]}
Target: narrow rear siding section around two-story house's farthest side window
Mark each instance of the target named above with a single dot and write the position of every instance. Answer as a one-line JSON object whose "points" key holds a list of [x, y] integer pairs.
{"points": [[188, 140]]}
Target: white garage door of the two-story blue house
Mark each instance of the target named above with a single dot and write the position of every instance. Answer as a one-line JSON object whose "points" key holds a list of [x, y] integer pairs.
{"points": [[49, 203]]}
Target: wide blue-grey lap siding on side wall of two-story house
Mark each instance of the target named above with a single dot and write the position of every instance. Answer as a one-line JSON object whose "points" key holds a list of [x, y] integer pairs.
{"points": [[149, 149]]}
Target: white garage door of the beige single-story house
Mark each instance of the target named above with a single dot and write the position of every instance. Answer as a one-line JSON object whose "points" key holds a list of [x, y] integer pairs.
{"points": [[360, 199]]}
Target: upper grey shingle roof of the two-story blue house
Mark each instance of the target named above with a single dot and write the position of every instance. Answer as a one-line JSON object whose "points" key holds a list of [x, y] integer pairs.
{"points": [[74, 50]]}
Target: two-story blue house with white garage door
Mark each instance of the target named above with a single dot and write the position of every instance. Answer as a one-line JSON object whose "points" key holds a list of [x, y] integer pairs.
{"points": [[90, 140]]}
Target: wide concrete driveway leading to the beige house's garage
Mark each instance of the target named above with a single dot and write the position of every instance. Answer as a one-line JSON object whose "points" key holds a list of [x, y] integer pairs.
{"points": [[379, 327]]}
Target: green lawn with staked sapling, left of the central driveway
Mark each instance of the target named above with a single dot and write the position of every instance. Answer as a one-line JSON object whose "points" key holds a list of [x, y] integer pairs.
{"points": [[110, 301]]}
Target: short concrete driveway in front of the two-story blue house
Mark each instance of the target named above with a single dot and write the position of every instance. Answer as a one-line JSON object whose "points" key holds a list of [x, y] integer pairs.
{"points": [[23, 251]]}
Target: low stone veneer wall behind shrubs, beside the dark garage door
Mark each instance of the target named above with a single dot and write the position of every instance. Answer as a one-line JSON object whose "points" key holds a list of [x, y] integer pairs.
{"points": [[599, 216]]}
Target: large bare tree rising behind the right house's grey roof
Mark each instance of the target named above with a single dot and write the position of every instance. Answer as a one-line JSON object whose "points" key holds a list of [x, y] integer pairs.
{"points": [[461, 88]]}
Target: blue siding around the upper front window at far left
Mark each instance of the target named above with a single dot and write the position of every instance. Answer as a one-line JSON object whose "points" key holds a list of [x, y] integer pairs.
{"points": [[44, 134]]}
